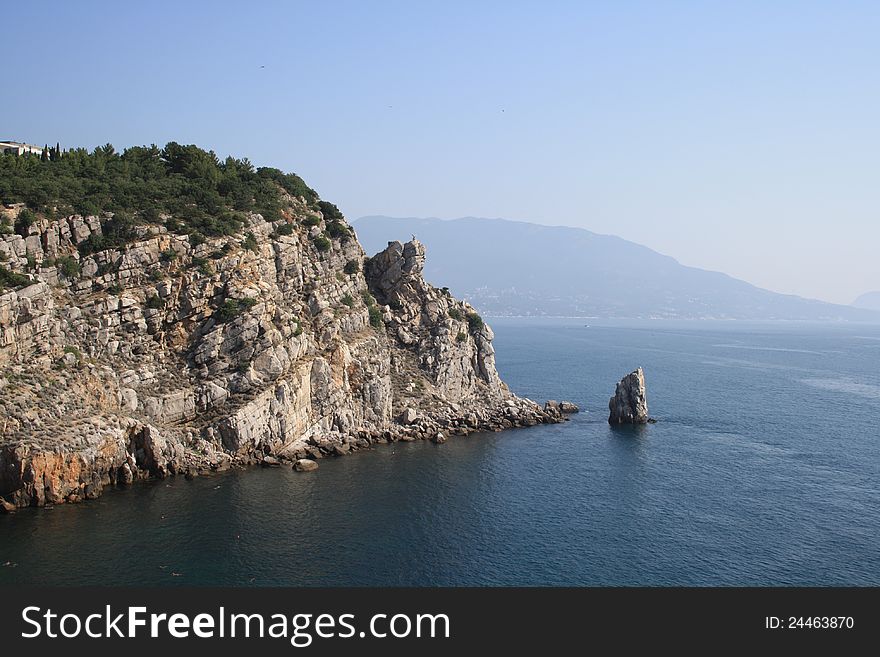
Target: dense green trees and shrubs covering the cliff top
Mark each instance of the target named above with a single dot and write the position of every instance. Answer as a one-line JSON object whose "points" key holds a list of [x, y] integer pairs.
{"points": [[188, 189]]}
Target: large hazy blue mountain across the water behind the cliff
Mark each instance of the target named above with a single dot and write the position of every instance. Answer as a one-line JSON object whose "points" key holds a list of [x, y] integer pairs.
{"points": [[517, 268]]}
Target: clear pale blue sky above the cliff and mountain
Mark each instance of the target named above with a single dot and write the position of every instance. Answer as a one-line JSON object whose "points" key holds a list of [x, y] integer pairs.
{"points": [[741, 137]]}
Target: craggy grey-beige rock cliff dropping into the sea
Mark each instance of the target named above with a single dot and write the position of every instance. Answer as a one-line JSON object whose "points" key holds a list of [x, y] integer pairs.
{"points": [[163, 357]]}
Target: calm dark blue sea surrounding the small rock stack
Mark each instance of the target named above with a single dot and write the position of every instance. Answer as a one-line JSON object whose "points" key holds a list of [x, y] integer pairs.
{"points": [[763, 469]]}
